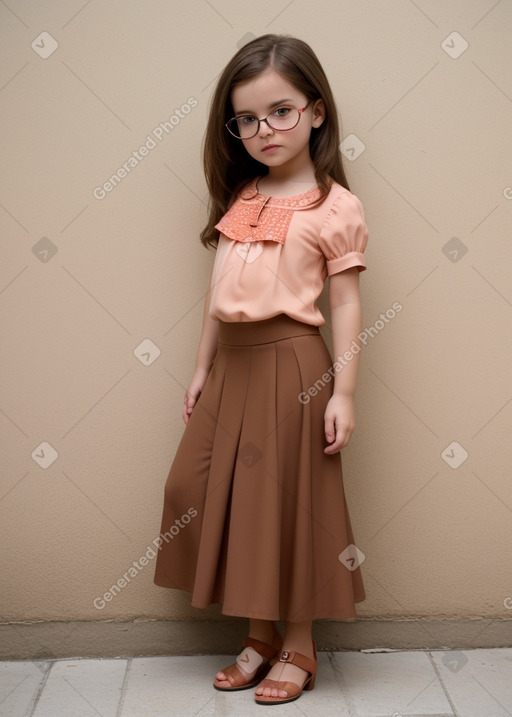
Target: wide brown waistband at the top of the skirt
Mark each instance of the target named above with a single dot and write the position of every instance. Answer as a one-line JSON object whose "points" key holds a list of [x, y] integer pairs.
{"points": [[247, 333]]}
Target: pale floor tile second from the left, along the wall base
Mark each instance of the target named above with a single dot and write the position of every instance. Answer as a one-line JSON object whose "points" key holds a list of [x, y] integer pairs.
{"points": [[82, 688]]}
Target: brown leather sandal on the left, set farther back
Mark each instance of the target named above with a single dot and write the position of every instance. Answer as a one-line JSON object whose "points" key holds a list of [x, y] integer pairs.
{"points": [[250, 662]]}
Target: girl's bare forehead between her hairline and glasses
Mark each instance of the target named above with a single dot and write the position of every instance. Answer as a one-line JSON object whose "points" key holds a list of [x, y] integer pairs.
{"points": [[258, 93]]}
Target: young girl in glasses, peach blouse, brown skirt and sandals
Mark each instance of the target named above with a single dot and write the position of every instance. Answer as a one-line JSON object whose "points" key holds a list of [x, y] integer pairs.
{"points": [[254, 514]]}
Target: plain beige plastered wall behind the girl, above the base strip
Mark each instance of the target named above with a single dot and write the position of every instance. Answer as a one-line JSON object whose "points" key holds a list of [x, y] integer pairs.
{"points": [[129, 267]]}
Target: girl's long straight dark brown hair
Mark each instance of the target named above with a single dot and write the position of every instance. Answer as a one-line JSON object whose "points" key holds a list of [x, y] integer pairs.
{"points": [[227, 164]]}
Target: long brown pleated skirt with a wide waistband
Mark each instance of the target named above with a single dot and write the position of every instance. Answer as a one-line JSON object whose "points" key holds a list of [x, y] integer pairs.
{"points": [[254, 513]]}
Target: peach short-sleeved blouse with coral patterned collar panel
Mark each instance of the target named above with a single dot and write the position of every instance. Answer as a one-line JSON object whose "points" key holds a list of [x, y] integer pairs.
{"points": [[274, 253]]}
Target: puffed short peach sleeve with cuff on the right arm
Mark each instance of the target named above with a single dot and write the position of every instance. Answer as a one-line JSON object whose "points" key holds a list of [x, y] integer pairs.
{"points": [[344, 234]]}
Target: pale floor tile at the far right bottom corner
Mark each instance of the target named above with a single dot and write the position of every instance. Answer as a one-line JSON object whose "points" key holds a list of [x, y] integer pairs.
{"points": [[479, 681]]}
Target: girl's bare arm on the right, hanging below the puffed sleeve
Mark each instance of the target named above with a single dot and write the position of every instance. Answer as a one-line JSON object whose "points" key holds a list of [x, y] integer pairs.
{"points": [[345, 306]]}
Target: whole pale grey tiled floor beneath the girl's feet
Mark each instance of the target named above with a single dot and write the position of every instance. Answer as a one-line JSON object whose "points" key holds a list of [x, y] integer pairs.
{"points": [[473, 683]]}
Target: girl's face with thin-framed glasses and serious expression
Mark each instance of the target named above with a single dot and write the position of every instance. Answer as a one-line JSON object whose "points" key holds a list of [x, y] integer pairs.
{"points": [[270, 94]]}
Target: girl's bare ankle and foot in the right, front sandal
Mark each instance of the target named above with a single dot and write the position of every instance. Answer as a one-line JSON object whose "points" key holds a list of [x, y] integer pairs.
{"points": [[298, 638]]}
